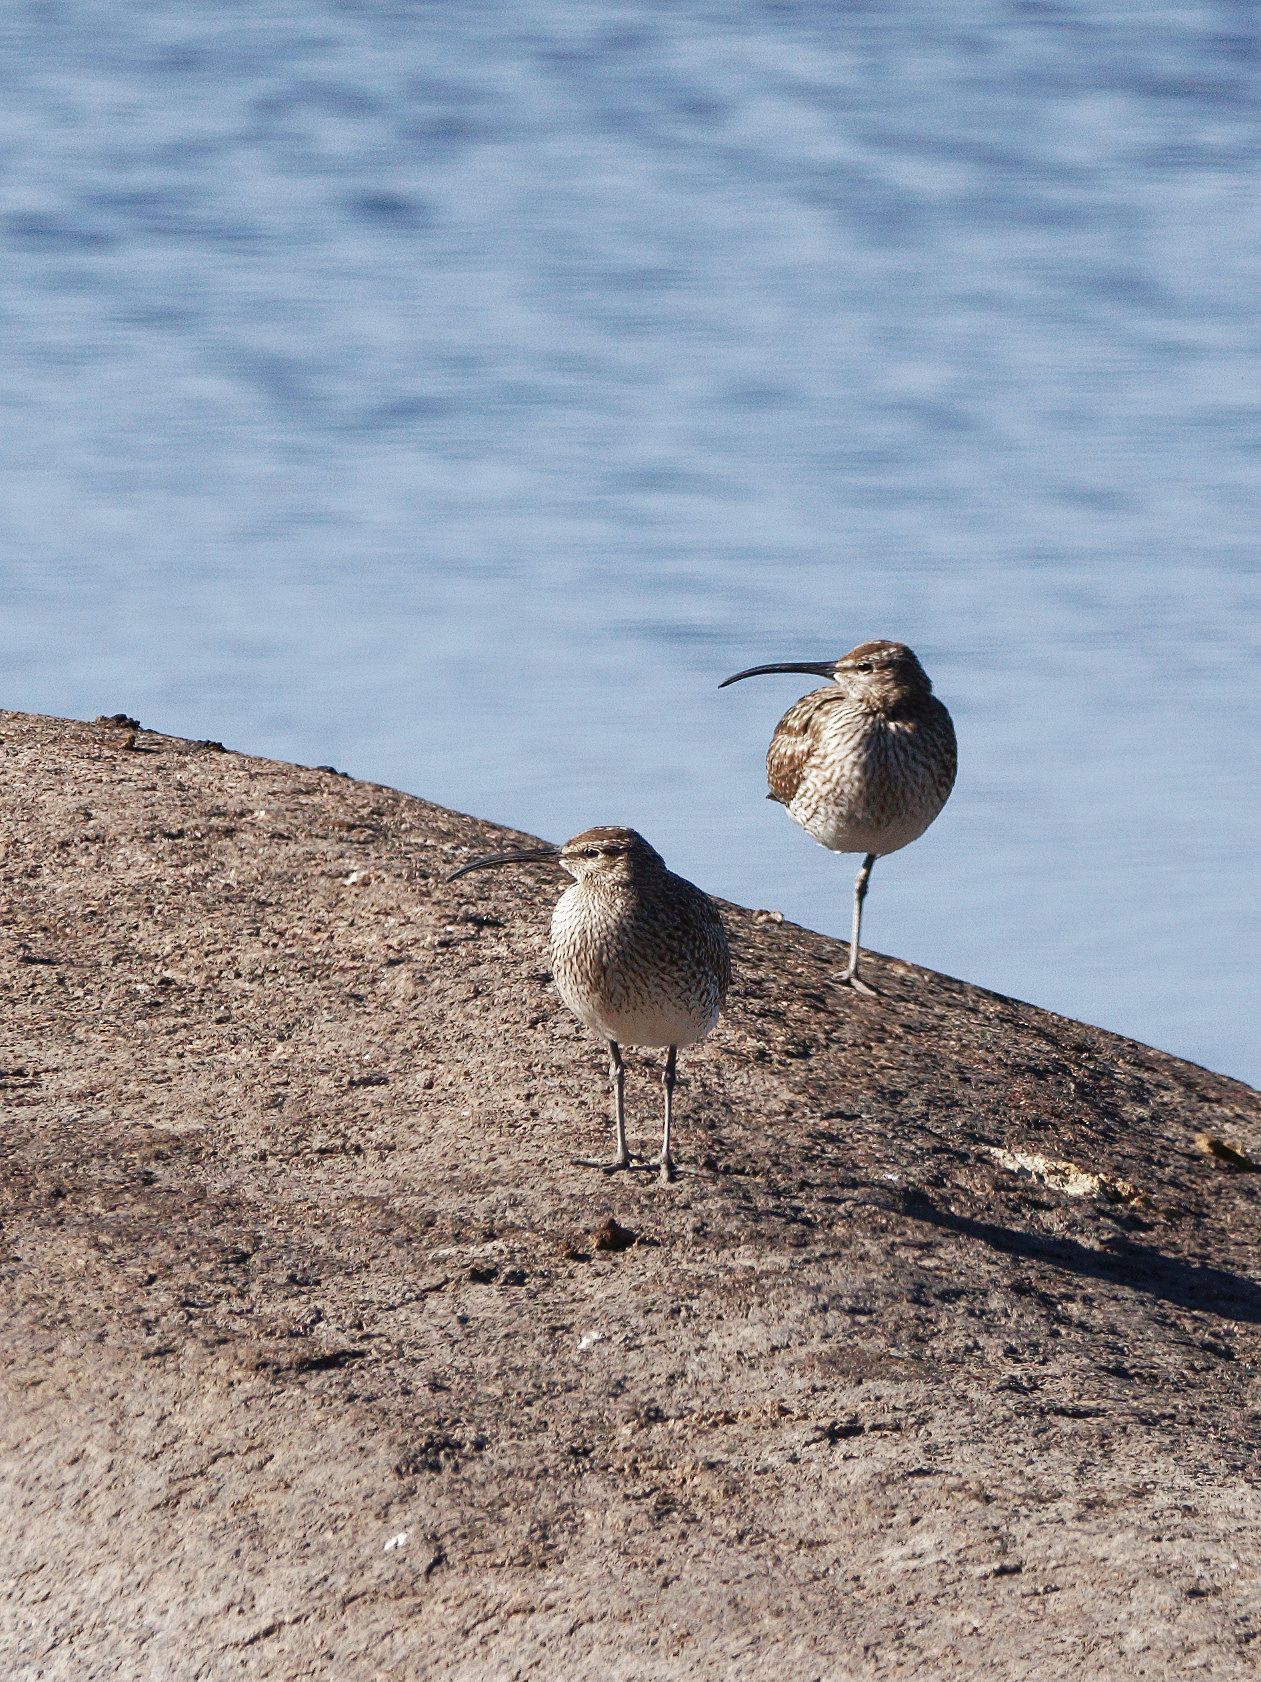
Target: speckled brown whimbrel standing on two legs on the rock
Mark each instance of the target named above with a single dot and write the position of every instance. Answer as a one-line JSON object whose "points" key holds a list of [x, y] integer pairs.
{"points": [[640, 956]]}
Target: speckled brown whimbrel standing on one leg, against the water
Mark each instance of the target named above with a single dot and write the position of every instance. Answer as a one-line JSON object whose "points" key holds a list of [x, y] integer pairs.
{"points": [[865, 764]]}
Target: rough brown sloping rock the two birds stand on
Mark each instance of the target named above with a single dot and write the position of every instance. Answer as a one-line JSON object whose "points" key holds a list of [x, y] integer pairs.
{"points": [[322, 1363]]}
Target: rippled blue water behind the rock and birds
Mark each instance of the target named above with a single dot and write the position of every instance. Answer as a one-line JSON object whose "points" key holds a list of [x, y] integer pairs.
{"points": [[458, 393]]}
